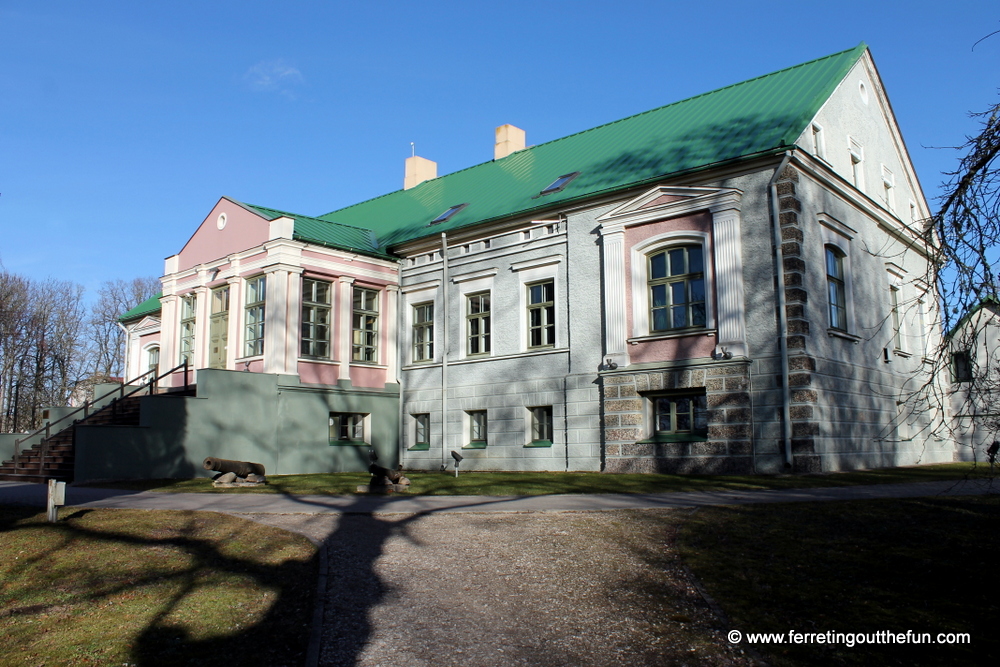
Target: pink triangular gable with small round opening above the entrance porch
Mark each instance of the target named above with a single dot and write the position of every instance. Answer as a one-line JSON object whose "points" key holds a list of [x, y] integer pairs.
{"points": [[243, 230]]}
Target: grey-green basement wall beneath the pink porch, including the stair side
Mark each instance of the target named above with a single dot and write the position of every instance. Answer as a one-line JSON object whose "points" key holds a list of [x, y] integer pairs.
{"points": [[269, 419]]}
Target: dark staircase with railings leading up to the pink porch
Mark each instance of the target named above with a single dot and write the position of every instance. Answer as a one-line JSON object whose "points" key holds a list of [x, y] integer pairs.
{"points": [[52, 458]]}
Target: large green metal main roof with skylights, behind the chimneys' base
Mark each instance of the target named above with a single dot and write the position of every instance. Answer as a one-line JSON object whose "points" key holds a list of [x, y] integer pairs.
{"points": [[760, 116]]}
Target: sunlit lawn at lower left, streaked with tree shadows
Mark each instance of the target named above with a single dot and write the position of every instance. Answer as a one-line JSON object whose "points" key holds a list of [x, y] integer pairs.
{"points": [[125, 587]]}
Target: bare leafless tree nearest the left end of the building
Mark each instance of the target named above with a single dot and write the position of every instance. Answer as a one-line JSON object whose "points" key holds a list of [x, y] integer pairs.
{"points": [[107, 339]]}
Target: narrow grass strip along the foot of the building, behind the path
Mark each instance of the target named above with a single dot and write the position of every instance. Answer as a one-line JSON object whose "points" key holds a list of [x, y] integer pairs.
{"points": [[546, 483]]}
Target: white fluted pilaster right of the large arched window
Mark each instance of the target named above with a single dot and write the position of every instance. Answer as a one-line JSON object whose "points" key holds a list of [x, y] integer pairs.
{"points": [[729, 281]]}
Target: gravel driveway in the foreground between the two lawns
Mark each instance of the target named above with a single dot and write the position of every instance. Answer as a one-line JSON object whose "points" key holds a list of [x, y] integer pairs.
{"points": [[567, 588]]}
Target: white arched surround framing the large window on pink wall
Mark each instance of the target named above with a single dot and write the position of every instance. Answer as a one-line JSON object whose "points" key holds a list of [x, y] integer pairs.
{"points": [[640, 281]]}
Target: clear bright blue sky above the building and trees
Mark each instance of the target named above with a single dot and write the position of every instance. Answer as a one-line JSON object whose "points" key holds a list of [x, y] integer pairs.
{"points": [[122, 123]]}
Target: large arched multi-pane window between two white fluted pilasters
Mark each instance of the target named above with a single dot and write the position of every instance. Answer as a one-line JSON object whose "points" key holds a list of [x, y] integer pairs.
{"points": [[676, 288]]}
